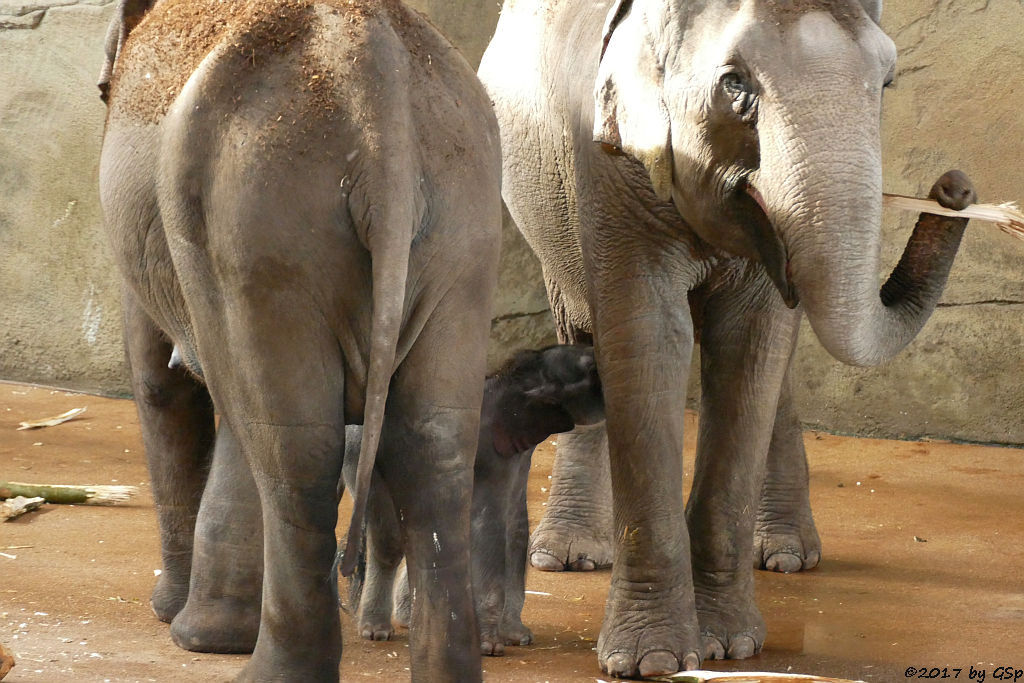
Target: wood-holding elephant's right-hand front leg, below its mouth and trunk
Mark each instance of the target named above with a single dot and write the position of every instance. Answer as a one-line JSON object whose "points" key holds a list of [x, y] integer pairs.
{"points": [[748, 338]]}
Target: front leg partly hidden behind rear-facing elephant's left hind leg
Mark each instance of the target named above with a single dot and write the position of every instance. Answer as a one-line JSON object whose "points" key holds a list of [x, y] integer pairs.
{"points": [[223, 614]]}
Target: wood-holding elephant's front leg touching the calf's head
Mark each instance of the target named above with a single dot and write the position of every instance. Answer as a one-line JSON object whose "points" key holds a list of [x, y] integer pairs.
{"points": [[645, 338]]}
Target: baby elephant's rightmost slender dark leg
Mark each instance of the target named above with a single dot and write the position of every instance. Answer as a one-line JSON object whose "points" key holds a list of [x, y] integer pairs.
{"points": [[518, 539]]}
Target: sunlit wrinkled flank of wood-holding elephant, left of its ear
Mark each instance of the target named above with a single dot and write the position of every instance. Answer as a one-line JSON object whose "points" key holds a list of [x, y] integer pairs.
{"points": [[539, 82]]}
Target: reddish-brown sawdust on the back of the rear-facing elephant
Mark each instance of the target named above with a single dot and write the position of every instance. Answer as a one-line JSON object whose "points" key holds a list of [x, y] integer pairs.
{"points": [[174, 39]]}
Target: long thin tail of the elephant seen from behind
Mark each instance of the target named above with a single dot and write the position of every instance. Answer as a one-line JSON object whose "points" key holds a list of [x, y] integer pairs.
{"points": [[388, 232]]}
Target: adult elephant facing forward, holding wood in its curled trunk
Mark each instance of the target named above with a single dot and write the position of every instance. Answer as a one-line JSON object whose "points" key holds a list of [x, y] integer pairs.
{"points": [[718, 161]]}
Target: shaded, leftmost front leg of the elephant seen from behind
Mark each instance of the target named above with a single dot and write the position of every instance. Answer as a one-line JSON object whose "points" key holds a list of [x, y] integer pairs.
{"points": [[177, 419]]}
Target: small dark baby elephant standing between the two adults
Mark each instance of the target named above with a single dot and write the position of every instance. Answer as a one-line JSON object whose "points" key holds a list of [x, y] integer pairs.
{"points": [[537, 394]]}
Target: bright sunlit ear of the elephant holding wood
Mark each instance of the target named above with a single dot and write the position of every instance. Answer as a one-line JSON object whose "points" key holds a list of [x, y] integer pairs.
{"points": [[630, 112]]}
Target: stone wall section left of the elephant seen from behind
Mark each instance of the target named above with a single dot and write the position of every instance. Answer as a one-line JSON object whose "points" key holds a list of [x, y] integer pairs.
{"points": [[61, 322]]}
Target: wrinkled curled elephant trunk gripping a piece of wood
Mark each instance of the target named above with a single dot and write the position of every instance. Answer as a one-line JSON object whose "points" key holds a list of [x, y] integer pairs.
{"points": [[829, 214]]}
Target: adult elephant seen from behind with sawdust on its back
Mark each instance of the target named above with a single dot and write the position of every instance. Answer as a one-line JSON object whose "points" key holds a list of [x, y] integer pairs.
{"points": [[303, 198]]}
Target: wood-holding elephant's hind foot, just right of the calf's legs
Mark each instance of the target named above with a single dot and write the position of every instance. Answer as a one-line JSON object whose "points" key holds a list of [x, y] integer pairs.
{"points": [[561, 545]]}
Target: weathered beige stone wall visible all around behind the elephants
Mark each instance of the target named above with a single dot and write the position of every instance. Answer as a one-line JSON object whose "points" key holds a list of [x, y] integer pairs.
{"points": [[956, 104]]}
